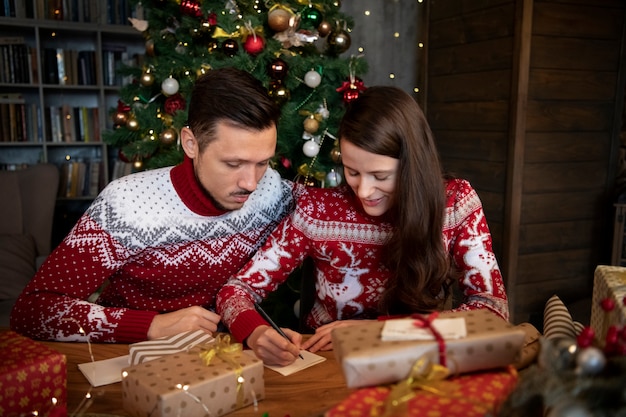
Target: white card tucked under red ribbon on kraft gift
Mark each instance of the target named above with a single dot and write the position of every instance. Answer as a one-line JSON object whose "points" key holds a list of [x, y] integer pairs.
{"points": [[405, 329]]}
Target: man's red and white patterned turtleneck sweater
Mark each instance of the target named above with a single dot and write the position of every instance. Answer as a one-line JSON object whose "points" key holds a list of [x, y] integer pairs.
{"points": [[161, 245]]}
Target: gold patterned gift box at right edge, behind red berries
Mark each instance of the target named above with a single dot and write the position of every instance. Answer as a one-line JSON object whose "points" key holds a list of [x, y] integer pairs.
{"points": [[608, 282]]}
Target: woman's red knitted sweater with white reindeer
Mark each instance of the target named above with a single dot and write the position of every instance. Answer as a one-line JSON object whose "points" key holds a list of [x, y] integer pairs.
{"points": [[346, 244]]}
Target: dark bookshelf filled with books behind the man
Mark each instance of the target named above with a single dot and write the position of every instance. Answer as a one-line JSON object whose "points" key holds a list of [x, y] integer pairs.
{"points": [[57, 84]]}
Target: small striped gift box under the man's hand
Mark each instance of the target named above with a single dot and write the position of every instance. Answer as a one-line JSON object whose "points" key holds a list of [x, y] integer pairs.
{"points": [[153, 349]]}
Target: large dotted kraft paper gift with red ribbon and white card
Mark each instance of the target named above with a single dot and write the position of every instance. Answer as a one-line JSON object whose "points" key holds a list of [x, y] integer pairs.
{"points": [[366, 360]]}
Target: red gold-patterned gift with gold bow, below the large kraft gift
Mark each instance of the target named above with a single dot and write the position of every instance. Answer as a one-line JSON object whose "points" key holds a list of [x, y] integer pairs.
{"points": [[471, 395]]}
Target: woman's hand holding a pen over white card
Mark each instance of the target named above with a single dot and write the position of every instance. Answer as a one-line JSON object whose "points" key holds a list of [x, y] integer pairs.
{"points": [[272, 348]]}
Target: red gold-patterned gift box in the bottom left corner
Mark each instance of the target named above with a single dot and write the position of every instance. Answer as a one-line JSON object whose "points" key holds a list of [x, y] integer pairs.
{"points": [[33, 377]]}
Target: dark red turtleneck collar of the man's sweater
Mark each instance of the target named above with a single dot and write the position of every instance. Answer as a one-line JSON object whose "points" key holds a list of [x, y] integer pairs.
{"points": [[191, 192]]}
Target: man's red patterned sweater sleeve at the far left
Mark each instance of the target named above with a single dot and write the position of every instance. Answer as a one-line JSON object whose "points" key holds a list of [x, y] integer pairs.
{"points": [[54, 305]]}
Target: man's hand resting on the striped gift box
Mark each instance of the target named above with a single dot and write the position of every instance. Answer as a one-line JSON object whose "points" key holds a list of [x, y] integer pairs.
{"points": [[183, 320]]}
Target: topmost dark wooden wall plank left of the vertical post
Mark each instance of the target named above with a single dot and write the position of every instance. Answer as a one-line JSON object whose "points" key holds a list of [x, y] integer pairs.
{"points": [[484, 24]]}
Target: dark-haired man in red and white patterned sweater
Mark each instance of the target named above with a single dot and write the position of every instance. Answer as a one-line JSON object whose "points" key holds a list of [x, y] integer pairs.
{"points": [[160, 244]]}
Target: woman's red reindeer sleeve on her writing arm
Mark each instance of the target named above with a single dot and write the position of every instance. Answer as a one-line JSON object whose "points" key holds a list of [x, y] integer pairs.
{"points": [[282, 253]]}
